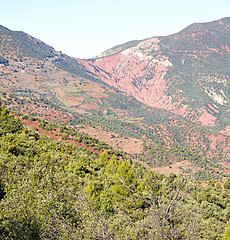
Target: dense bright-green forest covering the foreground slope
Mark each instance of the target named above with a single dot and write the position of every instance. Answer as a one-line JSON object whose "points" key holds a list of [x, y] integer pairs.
{"points": [[54, 190]]}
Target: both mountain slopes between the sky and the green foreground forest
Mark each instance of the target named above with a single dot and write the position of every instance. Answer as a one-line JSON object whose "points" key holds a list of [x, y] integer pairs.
{"points": [[160, 100]]}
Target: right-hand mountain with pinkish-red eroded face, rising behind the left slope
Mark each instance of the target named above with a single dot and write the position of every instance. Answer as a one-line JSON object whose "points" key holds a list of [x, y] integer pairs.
{"points": [[186, 73]]}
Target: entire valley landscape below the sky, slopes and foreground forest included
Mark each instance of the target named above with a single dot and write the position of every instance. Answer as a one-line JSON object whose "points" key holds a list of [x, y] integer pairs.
{"points": [[131, 144]]}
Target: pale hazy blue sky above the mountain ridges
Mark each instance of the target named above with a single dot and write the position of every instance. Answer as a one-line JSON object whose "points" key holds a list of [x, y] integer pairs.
{"points": [[85, 28]]}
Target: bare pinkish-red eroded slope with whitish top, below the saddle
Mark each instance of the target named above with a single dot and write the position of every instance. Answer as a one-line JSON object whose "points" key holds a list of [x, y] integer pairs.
{"points": [[128, 71]]}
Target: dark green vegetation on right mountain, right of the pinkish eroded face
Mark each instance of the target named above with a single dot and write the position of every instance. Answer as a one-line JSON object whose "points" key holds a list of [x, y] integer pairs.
{"points": [[196, 68]]}
